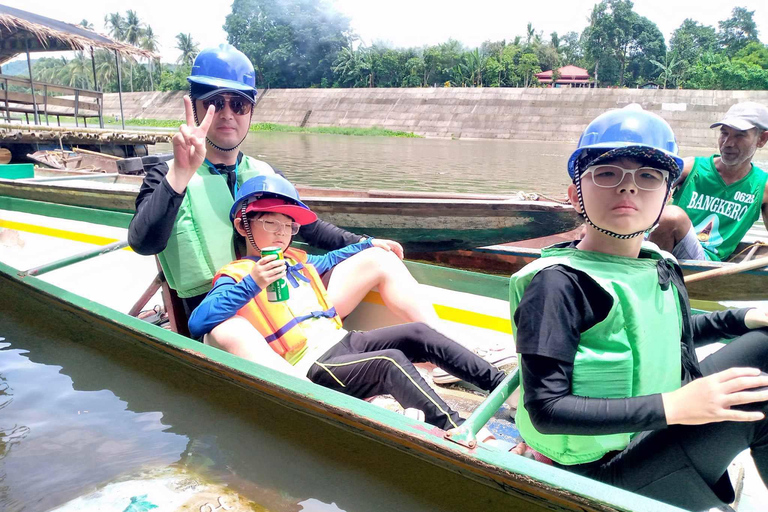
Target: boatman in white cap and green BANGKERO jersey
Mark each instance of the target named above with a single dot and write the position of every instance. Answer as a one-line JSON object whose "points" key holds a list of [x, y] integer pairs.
{"points": [[719, 197]]}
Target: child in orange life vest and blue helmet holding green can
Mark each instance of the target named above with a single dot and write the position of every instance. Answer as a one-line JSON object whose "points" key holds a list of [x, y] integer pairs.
{"points": [[303, 335]]}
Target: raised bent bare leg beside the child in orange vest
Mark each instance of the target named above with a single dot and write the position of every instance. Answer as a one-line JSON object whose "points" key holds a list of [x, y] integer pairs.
{"points": [[353, 278]]}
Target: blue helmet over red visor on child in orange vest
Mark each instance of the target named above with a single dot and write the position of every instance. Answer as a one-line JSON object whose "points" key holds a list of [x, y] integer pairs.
{"points": [[272, 186]]}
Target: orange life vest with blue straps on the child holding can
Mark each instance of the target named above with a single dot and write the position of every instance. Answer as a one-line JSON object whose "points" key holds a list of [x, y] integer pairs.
{"points": [[274, 320]]}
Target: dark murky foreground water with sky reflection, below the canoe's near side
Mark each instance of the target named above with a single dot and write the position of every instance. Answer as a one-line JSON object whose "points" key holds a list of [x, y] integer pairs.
{"points": [[153, 410]]}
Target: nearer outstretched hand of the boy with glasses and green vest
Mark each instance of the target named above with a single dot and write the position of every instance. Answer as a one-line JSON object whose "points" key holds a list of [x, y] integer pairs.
{"points": [[713, 398]]}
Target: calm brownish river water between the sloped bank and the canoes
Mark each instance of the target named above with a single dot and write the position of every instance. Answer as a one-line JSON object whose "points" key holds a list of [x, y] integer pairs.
{"points": [[395, 163]]}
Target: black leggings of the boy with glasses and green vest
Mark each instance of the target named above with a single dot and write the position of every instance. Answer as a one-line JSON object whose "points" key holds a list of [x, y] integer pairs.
{"points": [[685, 465]]}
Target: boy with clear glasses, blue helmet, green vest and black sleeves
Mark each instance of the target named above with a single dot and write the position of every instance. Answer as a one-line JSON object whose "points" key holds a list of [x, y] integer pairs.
{"points": [[611, 387]]}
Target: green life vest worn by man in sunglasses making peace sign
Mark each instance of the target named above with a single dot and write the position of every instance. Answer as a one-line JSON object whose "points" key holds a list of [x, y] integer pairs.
{"points": [[202, 239]]}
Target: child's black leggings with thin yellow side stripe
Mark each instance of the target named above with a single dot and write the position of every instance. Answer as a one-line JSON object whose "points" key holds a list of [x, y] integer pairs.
{"points": [[366, 364]]}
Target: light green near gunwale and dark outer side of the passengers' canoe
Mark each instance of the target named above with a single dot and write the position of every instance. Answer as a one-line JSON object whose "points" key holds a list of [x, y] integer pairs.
{"points": [[528, 480]]}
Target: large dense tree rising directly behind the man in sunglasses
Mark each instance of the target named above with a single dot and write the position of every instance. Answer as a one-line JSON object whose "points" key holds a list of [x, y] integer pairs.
{"points": [[292, 43]]}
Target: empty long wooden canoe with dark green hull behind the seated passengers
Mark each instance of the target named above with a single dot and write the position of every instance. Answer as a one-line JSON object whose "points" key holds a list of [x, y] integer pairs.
{"points": [[422, 222]]}
